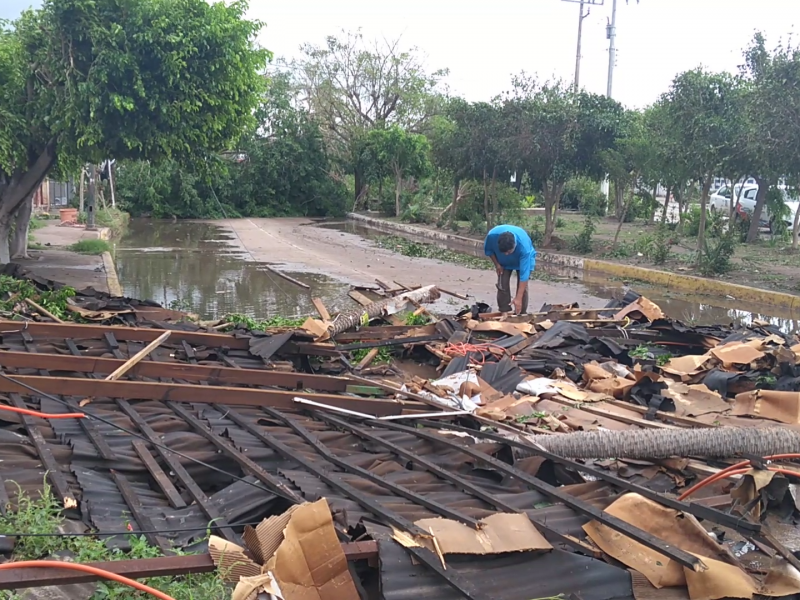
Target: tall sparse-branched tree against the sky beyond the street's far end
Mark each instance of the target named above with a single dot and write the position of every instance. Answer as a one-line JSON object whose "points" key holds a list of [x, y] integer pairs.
{"points": [[352, 86]]}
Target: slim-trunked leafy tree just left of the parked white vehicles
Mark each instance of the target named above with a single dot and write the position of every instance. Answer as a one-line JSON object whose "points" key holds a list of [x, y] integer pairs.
{"points": [[701, 110]]}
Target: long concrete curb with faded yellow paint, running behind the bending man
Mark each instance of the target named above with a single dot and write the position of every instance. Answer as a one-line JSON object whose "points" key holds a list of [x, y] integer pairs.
{"points": [[675, 281]]}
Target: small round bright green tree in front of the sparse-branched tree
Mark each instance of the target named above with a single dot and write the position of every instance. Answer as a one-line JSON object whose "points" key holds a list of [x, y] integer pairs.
{"points": [[402, 154]]}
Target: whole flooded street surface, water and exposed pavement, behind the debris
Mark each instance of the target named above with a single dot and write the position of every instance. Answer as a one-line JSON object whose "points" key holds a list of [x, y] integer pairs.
{"points": [[217, 268]]}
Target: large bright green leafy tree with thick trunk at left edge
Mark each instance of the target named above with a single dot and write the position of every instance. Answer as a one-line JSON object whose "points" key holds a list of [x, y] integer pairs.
{"points": [[84, 80]]}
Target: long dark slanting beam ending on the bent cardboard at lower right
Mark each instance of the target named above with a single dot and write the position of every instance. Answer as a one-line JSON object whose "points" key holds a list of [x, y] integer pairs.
{"points": [[576, 504]]}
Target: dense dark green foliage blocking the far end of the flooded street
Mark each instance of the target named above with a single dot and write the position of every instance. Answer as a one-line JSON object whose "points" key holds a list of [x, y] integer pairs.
{"points": [[282, 169]]}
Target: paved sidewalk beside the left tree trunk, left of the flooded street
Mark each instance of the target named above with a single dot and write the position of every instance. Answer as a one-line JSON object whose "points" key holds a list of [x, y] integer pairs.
{"points": [[56, 263]]}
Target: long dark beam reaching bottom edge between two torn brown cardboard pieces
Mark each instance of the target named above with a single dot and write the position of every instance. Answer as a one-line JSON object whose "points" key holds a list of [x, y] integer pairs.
{"points": [[387, 515]]}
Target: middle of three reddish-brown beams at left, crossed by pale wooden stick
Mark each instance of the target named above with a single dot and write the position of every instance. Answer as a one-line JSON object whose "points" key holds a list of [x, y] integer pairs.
{"points": [[187, 372]]}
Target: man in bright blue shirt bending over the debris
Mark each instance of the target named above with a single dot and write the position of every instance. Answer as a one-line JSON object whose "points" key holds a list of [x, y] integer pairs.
{"points": [[511, 249]]}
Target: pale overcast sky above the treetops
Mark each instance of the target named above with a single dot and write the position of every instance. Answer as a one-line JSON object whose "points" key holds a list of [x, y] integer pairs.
{"points": [[484, 42]]}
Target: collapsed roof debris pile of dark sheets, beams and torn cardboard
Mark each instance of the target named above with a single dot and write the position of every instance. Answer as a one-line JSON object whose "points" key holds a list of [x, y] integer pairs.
{"points": [[486, 456]]}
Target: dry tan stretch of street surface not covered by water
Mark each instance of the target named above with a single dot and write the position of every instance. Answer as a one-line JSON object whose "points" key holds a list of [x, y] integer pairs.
{"points": [[292, 242]]}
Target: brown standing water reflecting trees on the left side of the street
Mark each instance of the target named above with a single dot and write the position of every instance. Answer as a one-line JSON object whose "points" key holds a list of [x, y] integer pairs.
{"points": [[201, 268]]}
